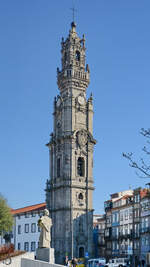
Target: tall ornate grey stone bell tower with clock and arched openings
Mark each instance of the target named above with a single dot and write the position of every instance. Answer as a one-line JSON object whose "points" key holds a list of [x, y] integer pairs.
{"points": [[69, 192]]}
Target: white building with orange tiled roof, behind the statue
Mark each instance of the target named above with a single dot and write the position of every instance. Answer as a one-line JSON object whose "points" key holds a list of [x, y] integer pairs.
{"points": [[25, 234]]}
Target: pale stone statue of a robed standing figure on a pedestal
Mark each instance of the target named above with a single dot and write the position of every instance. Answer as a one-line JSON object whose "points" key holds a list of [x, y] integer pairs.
{"points": [[45, 224]]}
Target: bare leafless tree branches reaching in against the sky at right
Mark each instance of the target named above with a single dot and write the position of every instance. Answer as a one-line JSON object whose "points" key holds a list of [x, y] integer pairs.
{"points": [[143, 166]]}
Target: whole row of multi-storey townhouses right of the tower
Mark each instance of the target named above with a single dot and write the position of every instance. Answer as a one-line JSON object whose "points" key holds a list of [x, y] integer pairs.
{"points": [[126, 226]]}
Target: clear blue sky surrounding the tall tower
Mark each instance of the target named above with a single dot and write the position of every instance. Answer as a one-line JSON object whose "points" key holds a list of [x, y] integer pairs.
{"points": [[118, 54]]}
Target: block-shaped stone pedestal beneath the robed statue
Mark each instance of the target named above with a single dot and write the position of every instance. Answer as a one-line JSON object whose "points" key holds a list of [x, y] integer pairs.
{"points": [[45, 254]]}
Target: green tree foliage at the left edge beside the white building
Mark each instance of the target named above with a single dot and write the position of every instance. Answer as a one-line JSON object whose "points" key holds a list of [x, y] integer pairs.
{"points": [[6, 218]]}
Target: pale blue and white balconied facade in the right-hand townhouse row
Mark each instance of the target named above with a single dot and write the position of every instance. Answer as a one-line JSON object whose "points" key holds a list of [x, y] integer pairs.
{"points": [[118, 224]]}
